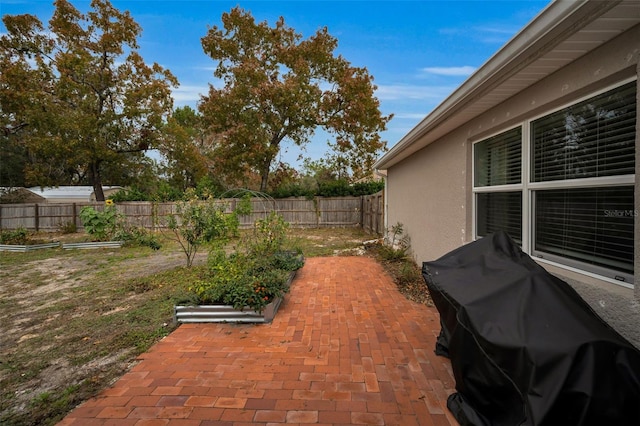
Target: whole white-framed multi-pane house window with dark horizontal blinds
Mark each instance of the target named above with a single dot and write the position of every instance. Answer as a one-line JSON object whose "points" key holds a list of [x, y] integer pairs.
{"points": [[576, 204]]}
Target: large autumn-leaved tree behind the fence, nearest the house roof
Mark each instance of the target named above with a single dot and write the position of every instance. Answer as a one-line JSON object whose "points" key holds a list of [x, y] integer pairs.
{"points": [[279, 87]]}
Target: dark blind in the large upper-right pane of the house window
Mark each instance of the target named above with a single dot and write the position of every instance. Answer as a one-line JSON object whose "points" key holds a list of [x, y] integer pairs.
{"points": [[594, 138]]}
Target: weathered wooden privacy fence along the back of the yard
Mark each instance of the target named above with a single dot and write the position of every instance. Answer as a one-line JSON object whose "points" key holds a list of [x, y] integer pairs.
{"points": [[365, 211]]}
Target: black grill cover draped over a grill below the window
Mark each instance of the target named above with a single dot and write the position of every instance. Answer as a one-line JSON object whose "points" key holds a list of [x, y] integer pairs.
{"points": [[525, 348]]}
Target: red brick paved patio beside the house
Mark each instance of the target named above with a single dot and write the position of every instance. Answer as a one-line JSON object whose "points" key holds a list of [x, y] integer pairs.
{"points": [[346, 348]]}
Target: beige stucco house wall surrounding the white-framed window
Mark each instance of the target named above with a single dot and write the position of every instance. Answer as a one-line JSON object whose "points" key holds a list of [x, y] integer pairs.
{"points": [[430, 192]]}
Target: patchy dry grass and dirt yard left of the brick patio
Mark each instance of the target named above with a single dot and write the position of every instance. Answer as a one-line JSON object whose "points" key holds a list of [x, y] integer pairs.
{"points": [[41, 353]]}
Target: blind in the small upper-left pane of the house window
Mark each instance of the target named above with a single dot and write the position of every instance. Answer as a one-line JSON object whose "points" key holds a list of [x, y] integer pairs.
{"points": [[498, 160]]}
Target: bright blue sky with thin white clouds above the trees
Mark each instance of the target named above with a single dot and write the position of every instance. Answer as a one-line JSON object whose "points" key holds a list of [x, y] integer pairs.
{"points": [[417, 51]]}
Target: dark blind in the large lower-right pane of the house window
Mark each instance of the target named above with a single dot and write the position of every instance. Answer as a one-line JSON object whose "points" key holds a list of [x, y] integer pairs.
{"points": [[591, 225]]}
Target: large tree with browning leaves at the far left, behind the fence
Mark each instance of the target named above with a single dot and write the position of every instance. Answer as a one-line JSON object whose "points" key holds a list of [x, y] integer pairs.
{"points": [[78, 95]]}
